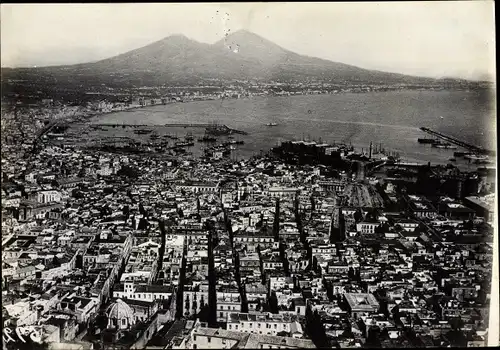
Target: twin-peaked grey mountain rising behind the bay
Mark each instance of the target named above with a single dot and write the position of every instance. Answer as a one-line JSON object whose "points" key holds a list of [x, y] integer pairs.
{"points": [[179, 60]]}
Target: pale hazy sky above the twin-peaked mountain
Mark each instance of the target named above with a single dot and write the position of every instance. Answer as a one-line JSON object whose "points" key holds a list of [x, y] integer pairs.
{"points": [[422, 38]]}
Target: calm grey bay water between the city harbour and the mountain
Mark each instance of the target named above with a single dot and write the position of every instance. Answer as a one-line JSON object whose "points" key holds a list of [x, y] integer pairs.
{"points": [[389, 120]]}
